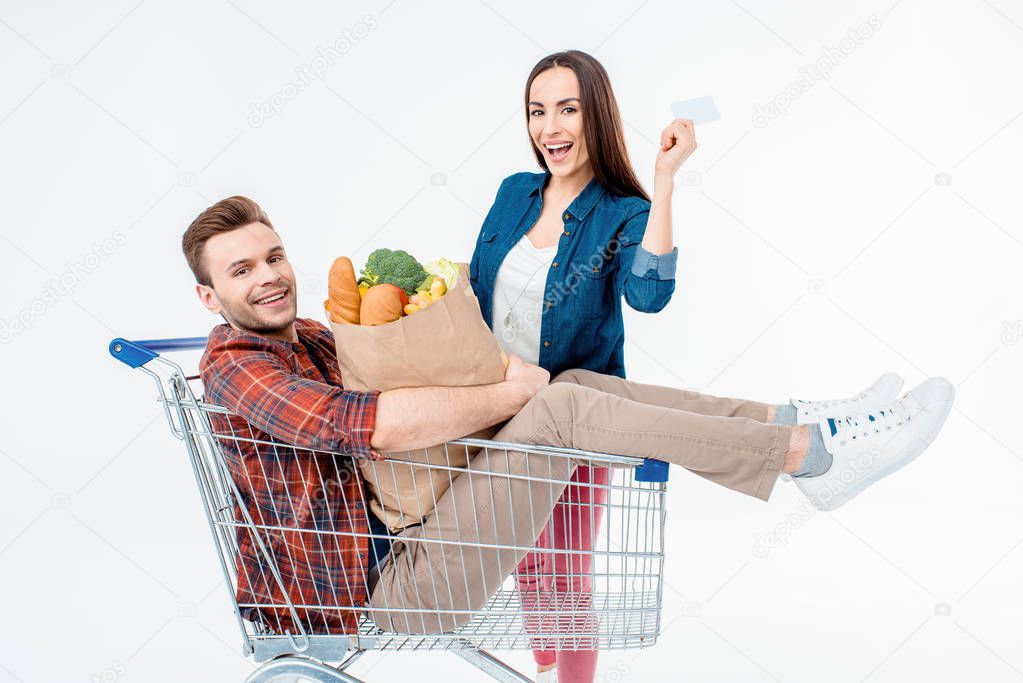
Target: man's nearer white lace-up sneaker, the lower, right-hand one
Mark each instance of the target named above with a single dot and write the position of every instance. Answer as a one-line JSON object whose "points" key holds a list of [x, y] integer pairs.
{"points": [[867, 448]]}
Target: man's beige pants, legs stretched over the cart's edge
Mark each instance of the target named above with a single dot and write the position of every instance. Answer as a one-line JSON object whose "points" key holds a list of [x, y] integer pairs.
{"points": [[506, 499]]}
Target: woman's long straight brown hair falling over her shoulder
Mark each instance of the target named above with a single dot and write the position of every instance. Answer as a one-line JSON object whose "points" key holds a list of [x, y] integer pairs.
{"points": [[602, 123]]}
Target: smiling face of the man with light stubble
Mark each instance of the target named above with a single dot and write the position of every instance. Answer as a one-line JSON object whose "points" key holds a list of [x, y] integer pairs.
{"points": [[253, 283]]}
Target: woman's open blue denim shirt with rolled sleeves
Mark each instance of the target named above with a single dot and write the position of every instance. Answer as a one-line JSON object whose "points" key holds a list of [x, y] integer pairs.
{"points": [[599, 261]]}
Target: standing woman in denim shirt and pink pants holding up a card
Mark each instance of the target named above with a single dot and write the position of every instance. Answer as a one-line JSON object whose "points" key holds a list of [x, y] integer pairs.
{"points": [[557, 253]]}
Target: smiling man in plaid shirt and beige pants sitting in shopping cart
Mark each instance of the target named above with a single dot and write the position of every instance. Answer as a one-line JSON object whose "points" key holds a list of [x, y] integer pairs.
{"points": [[278, 375]]}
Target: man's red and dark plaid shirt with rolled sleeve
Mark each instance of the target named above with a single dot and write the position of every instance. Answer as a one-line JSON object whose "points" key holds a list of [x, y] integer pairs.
{"points": [[292, 395]]}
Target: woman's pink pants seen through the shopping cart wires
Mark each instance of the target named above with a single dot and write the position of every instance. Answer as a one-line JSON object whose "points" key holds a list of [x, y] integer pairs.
{"points": [[556, 588]]}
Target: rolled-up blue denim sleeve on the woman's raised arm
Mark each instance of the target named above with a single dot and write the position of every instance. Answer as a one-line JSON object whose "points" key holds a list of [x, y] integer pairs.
{"points": [[647, 281]]}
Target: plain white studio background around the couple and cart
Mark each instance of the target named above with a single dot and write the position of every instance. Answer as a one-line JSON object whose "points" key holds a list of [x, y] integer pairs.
{"points": [[816, 253]]}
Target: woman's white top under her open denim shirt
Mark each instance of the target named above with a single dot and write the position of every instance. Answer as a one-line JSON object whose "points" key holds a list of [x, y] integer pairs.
{"points": [[518, 304]]}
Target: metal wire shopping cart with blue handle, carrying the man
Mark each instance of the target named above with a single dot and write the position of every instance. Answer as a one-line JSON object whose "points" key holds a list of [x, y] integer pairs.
{"points": [[615, 606]]}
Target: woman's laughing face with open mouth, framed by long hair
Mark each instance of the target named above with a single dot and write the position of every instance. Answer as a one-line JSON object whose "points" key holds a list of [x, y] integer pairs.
{"points": [[556, 121]]}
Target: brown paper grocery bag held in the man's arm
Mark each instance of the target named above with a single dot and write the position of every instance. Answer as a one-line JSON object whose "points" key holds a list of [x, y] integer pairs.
{"points": [[447, 345]]}
